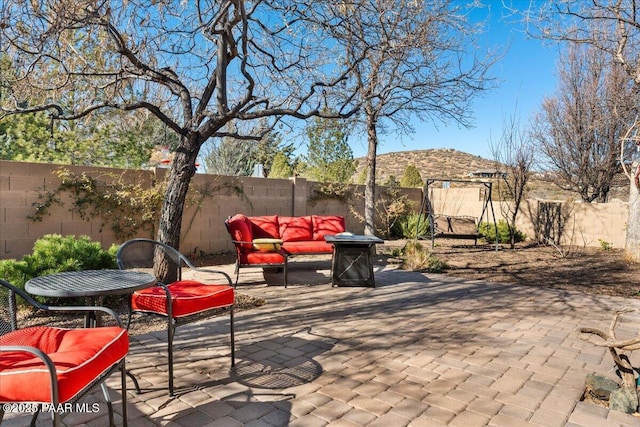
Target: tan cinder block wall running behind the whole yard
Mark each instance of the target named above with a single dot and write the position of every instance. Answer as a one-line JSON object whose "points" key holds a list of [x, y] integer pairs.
{"points": [[203, 229]]}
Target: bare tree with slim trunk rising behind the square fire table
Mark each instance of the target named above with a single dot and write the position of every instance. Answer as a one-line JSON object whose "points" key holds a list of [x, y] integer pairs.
{"points": [[410, 59]]}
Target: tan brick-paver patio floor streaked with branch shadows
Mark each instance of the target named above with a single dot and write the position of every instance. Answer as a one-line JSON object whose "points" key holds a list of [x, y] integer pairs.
{"points": [[417, 350]]}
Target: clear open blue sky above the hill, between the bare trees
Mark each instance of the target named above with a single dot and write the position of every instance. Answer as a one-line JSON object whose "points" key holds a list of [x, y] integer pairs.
{"points": [[526, 74]]}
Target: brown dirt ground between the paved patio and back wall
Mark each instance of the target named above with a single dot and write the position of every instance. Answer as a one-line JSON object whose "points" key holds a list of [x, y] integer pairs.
{"points": [[589, 270]]}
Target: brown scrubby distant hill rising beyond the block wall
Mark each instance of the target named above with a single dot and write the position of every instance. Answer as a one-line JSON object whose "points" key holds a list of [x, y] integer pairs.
{"points": [[448, 163]]}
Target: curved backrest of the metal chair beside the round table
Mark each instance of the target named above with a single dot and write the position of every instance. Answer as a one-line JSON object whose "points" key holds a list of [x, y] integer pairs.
{"points": [[148, 255]]}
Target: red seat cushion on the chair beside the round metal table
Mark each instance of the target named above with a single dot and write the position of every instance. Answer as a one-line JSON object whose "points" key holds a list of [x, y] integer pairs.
{"points": [[187, 297]]}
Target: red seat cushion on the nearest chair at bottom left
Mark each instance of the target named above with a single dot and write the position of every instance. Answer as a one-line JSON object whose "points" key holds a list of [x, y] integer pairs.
{"points": [[80, 356]]}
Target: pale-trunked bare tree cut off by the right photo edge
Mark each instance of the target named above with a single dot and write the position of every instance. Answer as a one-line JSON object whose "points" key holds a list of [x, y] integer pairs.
{"points": [[614, 28]]}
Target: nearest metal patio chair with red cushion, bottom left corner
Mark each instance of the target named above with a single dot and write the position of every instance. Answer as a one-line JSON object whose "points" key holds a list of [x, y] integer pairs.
{"points": [[43, 367]]}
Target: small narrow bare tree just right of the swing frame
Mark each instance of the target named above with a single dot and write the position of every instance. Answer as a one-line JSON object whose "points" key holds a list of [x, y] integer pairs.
{"points": [[514, 155]]}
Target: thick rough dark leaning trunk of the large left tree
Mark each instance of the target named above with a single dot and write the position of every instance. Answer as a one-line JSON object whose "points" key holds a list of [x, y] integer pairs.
{"points": [[182, 171]]}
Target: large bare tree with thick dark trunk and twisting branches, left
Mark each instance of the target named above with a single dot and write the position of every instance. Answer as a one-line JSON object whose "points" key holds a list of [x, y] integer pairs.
{"points": [[197, 66]]}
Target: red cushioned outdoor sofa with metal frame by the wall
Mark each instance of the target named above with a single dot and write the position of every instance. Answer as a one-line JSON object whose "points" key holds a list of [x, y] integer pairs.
{"points": [[269, 241]]}
